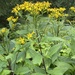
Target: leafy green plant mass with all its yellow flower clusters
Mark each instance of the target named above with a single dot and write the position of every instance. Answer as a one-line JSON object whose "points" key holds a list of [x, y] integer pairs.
{"points": [[37, 44]]}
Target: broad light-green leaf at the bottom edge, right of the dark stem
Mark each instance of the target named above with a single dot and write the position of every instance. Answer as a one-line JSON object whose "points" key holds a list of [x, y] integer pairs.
{"points": [[61, 68]]}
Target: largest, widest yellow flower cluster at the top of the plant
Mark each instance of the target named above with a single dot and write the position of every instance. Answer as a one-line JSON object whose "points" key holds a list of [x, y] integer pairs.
{"points": [[33, 8]]}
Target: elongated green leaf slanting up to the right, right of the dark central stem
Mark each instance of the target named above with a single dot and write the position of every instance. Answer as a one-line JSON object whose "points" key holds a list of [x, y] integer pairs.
{"points": [[54, 49]]}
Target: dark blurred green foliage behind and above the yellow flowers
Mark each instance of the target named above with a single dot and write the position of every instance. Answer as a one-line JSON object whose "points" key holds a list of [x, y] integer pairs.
{"points": [[7, 5]]}
